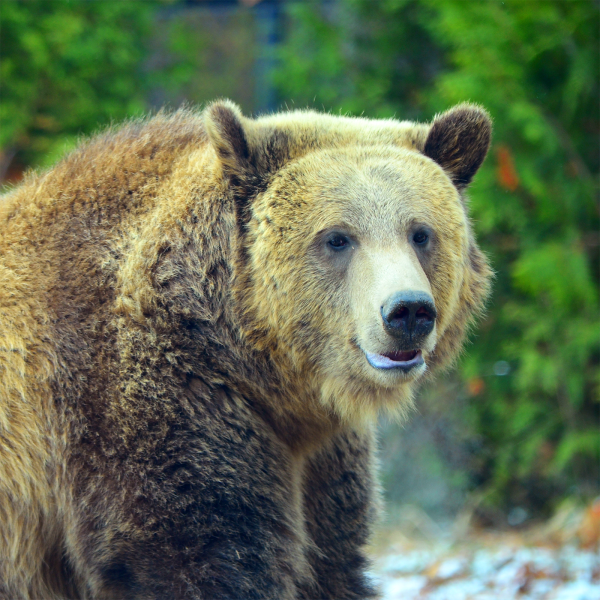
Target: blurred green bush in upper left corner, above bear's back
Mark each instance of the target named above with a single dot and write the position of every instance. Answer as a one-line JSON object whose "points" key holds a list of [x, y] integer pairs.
{"points": [[67, 66]]}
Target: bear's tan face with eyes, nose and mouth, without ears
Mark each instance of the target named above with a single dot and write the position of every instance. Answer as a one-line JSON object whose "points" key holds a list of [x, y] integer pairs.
{"points": [[359, 263]]}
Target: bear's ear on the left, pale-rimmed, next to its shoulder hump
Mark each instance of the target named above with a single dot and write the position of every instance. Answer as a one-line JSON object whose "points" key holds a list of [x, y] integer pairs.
{"points": [[228, 136]]}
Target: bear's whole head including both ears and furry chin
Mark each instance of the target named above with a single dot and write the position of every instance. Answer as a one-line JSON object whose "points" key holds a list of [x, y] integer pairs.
{"points": [[357, 269]]}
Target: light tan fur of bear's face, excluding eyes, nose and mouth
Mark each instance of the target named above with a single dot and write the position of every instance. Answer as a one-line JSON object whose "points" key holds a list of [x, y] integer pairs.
{"points": [[330, 318]]}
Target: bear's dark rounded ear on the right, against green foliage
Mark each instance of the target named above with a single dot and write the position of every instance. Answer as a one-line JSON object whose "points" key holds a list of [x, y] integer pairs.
{"points": [[459, 140]]}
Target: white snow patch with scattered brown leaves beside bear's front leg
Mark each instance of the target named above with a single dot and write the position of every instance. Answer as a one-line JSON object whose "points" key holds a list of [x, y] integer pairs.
{"points": [[500, 572]]}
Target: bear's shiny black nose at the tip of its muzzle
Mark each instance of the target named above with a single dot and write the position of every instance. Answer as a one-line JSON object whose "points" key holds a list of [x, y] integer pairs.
{"points": [[409, 317]]}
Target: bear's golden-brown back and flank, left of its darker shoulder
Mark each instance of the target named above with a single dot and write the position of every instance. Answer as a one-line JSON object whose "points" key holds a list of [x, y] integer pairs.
{"points": [[56, 229]]}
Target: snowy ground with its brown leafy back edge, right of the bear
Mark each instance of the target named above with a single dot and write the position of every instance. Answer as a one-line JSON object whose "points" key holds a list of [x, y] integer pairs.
{"points": [[488, 566]]}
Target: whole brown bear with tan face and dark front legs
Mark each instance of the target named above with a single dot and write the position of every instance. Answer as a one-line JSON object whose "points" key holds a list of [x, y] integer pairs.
{"points": [[201, 316]]}
